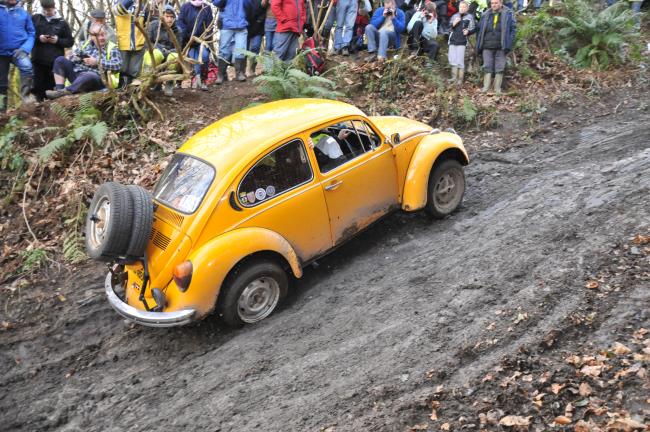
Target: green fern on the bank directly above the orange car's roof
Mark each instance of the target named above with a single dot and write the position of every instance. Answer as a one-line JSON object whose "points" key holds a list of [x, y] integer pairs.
{"points": [[282, 80]]}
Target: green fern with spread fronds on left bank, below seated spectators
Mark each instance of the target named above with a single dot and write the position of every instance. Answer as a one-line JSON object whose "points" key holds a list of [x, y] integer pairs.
{"points": [[85, 124]]}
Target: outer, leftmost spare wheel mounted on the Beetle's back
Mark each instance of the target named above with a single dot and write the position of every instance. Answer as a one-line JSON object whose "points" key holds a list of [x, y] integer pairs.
{"points": [[108, 224]]}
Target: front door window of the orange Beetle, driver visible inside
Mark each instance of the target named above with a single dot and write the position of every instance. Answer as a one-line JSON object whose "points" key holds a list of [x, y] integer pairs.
{"points": [[337, 144]]}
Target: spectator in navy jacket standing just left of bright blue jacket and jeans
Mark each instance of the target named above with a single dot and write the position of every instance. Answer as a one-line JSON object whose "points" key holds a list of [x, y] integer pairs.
{"points": [[195, 21]]}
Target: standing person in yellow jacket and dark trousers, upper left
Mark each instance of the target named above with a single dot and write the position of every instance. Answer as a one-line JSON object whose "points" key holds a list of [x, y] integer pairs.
{"points": [[130, 39]]}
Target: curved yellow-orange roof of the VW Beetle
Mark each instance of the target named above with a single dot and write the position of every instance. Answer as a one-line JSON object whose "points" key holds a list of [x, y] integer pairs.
{"points": [[237, 139]]}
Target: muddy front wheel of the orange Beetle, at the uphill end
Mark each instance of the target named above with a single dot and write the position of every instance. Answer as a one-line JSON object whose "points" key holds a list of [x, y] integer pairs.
{"points": [[445, 189]]}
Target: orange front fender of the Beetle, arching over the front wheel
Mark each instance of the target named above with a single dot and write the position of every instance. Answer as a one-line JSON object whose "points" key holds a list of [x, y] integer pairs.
{"points": [[432, 148]]}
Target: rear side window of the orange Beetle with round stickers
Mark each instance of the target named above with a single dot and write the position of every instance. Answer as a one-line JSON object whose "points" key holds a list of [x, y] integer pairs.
{"points": [[285, 168]]}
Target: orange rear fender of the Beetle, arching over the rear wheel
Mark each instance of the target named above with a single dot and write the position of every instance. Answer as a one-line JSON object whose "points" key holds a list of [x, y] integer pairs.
{"points": [[213, 261]]}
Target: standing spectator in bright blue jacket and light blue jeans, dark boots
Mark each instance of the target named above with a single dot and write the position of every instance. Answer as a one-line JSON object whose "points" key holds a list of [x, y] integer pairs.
{"points": [[234, 36]]}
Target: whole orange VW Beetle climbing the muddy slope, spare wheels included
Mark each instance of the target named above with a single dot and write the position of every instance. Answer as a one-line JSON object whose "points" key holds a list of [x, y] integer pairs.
{"points": [[248, 201]]}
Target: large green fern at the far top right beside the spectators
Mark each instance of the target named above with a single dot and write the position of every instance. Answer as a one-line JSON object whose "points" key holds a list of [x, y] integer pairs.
{"points": [[595, 37]]}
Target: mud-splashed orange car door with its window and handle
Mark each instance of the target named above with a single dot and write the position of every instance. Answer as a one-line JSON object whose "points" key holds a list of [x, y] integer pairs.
{"points": [[358, 176]]}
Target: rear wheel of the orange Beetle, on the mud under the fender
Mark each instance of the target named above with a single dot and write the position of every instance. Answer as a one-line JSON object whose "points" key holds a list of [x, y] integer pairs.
{"points": [[252, 292]]}
